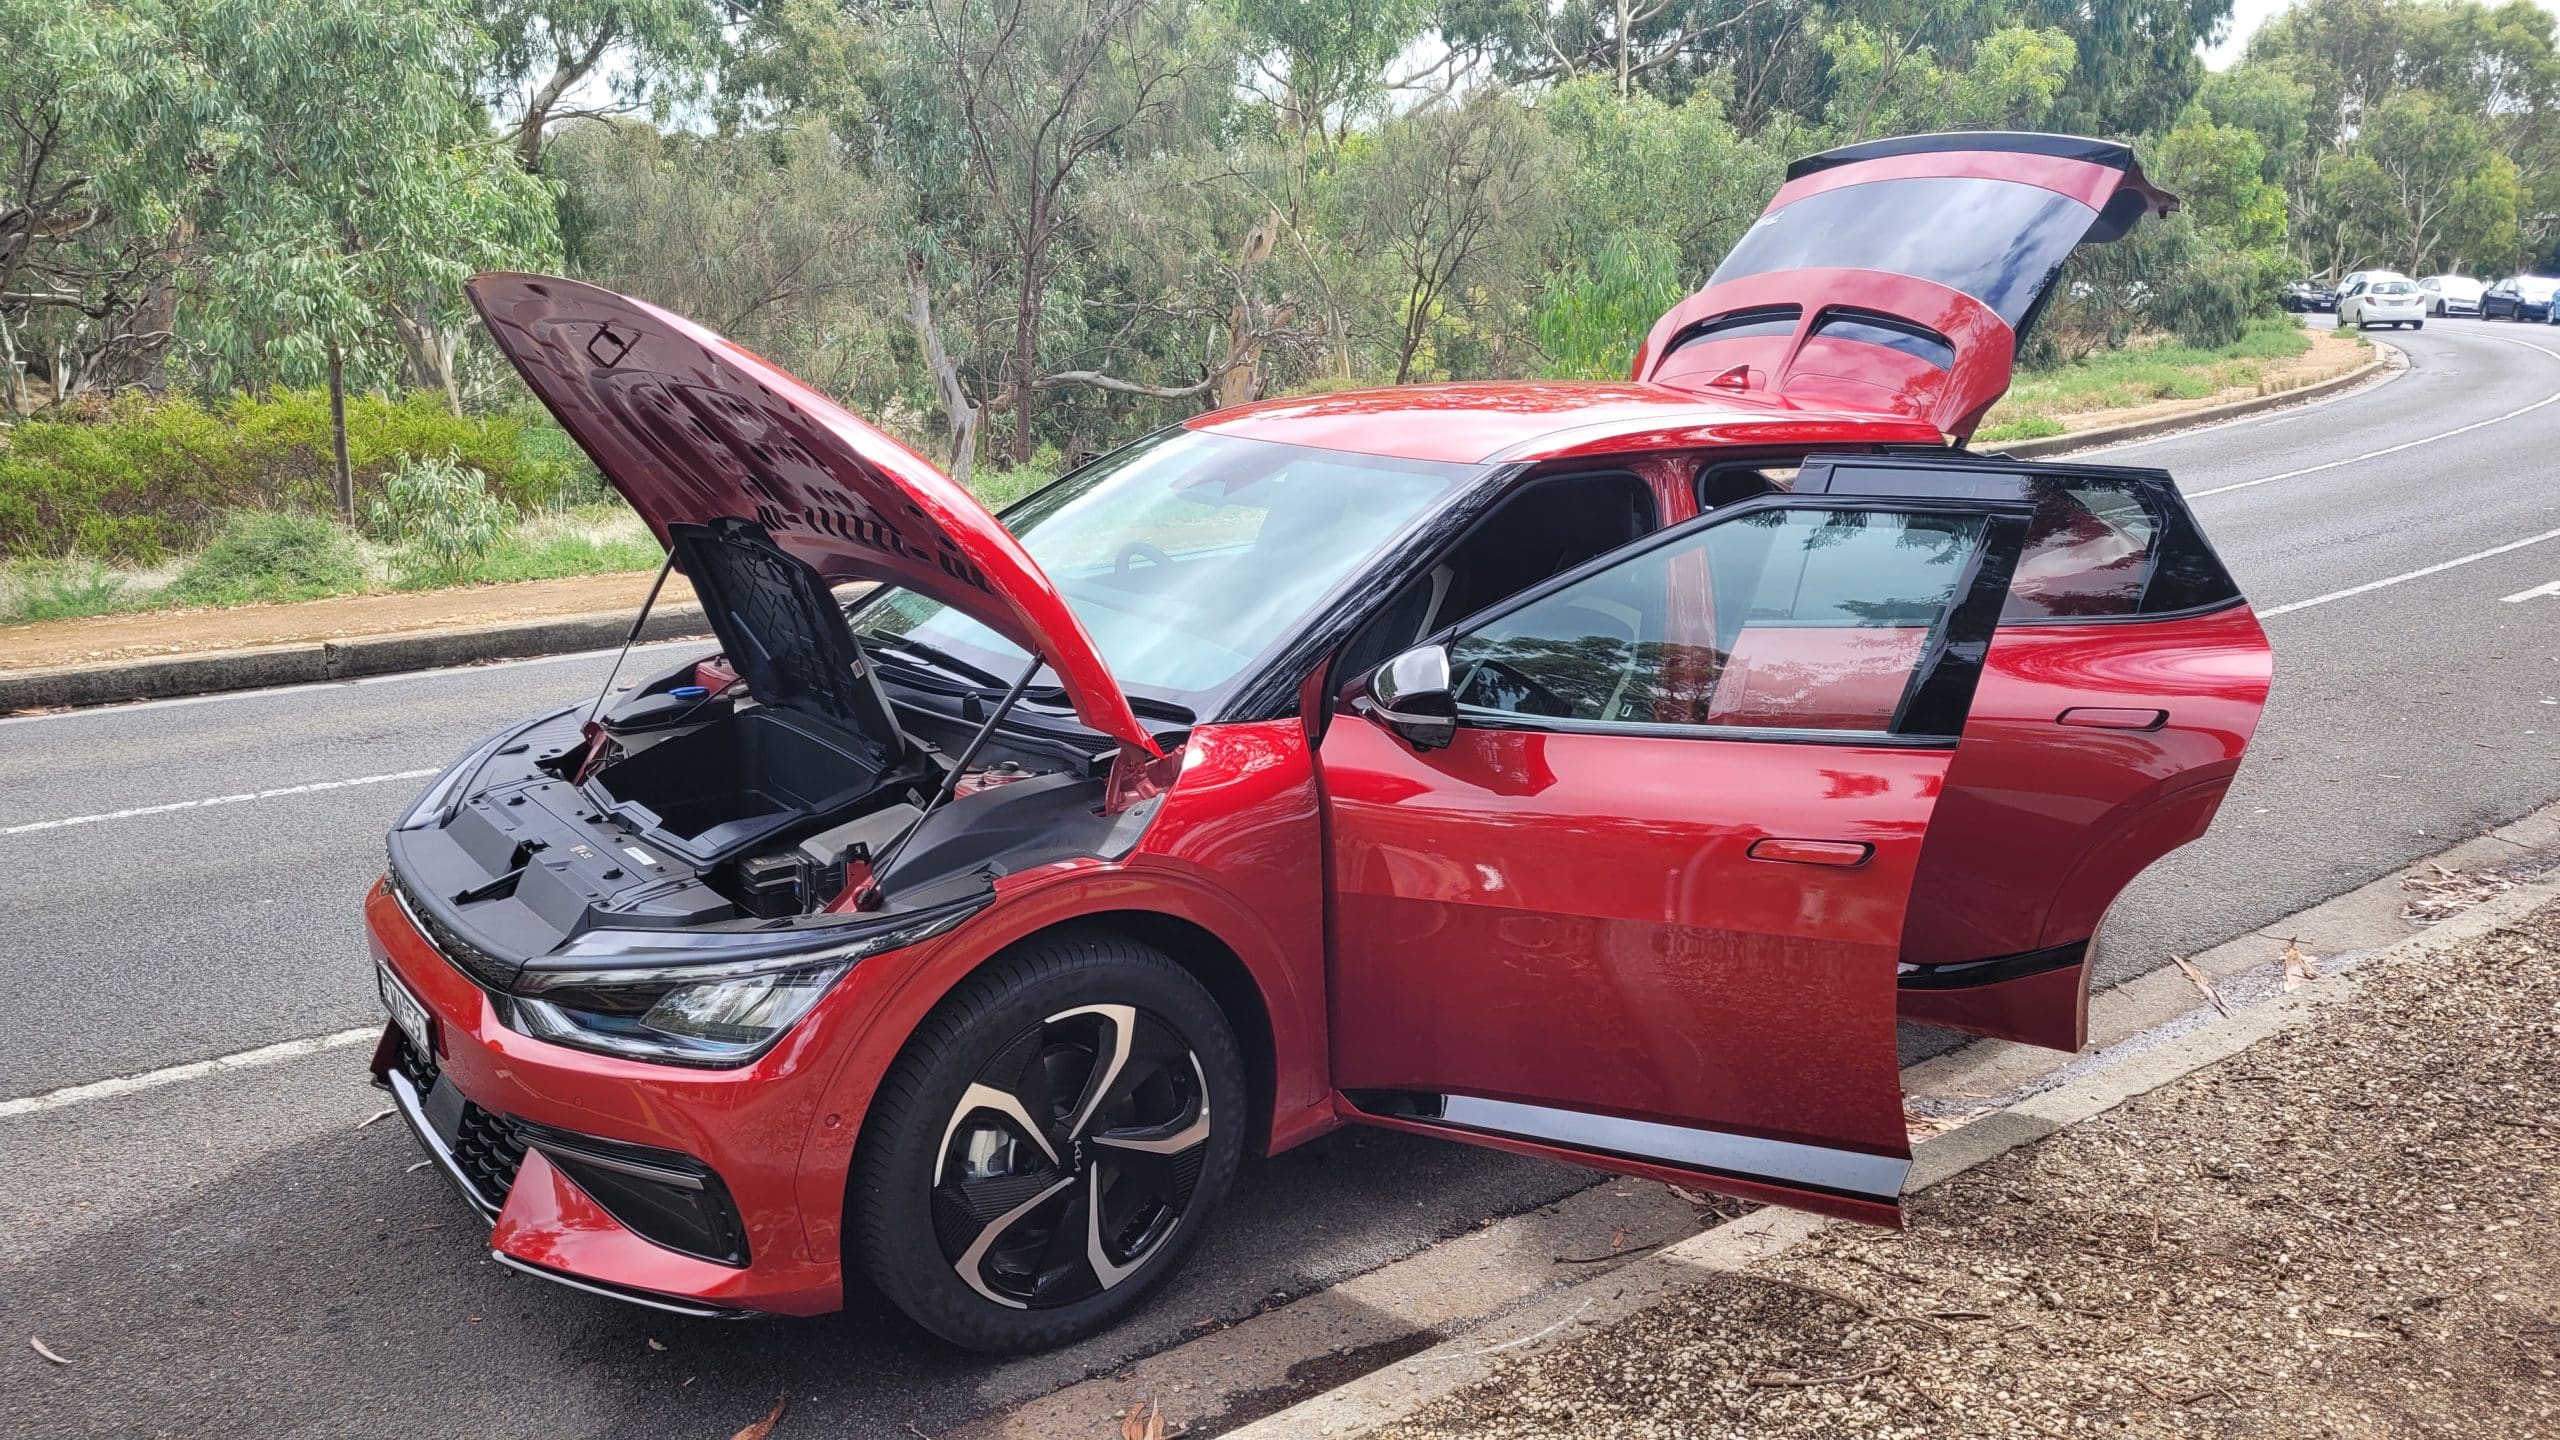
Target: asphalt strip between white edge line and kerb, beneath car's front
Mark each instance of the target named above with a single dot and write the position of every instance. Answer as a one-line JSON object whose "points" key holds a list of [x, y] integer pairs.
{"points": [[332, 1290]]}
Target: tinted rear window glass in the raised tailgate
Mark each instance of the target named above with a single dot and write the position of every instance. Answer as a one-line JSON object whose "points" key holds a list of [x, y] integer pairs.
{"points": [[1993, 240]]}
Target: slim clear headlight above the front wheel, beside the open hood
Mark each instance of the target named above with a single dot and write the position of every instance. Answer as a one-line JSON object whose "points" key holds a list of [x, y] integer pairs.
{"points": [[695, 1013]]}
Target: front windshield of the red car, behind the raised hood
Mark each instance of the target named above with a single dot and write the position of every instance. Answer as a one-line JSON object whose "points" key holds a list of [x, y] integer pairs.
{"points": [[1189, 555]]}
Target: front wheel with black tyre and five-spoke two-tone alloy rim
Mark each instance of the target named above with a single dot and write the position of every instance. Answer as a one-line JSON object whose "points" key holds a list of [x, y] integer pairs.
{"points": [[989, 1262]]}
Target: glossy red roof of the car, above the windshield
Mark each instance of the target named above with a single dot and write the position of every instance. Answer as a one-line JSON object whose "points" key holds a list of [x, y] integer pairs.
{"points": [[1550, 419]]}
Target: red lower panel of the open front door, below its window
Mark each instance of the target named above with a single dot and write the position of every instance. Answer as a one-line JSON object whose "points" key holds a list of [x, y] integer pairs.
{"points": [[1573, 921]]}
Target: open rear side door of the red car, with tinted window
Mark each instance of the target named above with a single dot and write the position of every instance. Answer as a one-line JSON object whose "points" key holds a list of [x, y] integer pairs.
{"points": [[2113, 708]]}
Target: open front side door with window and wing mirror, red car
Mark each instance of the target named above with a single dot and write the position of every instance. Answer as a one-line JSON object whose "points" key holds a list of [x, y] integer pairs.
{"points": [[1604, 908]]}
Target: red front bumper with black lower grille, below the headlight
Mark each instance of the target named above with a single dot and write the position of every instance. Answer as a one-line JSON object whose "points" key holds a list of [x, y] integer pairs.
{"points": [[513, 1124]]}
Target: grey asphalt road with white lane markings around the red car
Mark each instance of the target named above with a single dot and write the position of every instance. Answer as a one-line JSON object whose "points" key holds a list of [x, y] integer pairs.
{"points": [[234, 1252]]}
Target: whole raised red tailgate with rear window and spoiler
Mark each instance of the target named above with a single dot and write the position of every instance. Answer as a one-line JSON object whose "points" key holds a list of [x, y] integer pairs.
{"points": [[1901, 275]]}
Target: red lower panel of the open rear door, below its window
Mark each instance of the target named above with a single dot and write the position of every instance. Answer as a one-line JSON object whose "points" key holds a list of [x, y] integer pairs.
{"points": [[2047, 824]]}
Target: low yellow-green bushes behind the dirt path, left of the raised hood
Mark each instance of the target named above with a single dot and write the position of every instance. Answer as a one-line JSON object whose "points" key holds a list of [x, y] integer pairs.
{"points": [[152, 478]]}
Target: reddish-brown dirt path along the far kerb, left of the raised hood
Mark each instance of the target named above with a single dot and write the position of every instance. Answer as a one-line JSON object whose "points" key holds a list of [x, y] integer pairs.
{"points": [[247, 626]]}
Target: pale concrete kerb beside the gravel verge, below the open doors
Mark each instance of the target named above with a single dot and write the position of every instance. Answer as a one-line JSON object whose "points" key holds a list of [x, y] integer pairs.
{"points": [[1399, 1390]]}
